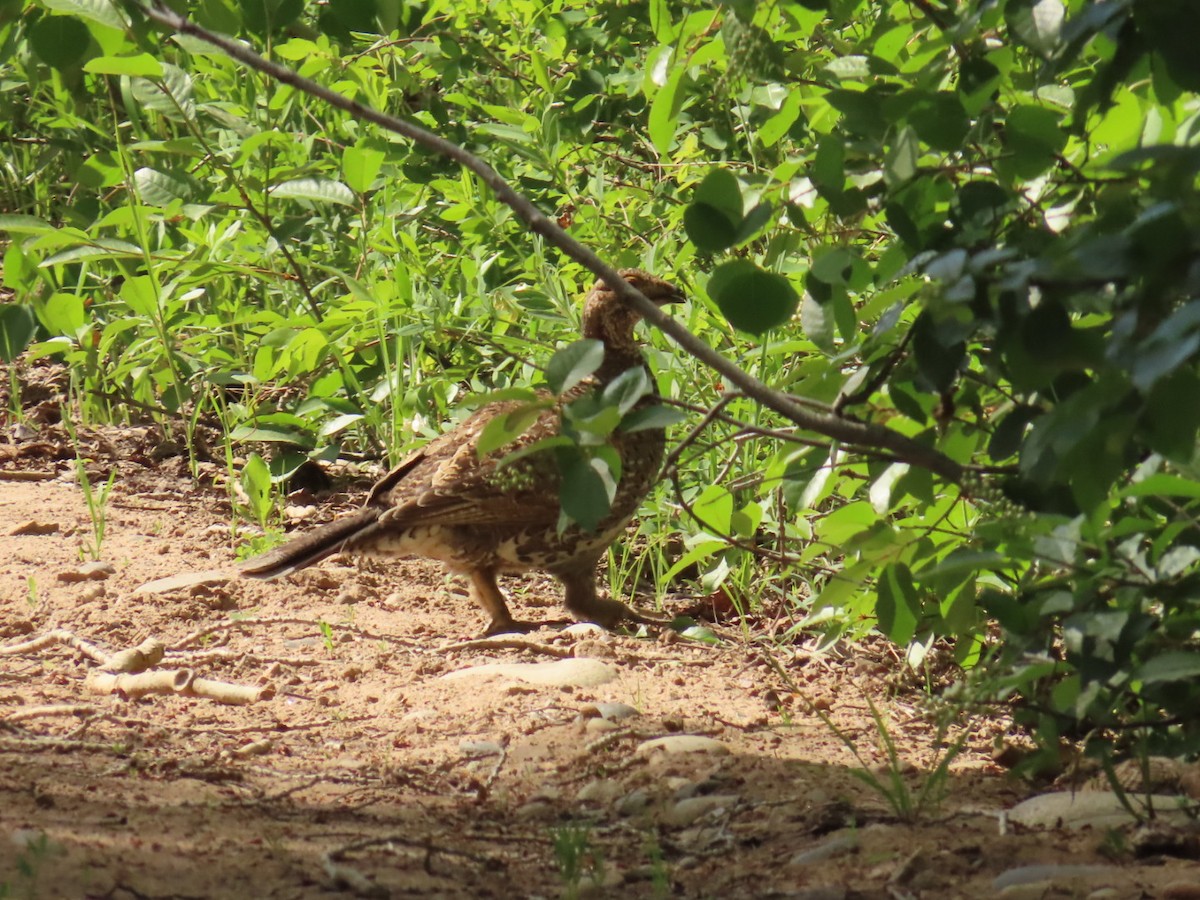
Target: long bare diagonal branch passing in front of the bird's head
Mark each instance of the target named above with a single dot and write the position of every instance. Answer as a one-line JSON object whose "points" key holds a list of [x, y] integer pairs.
{"points": [[808, 415]]}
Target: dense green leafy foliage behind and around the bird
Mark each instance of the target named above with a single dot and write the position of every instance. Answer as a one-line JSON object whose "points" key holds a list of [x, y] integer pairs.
{"points": [[974, 224]]}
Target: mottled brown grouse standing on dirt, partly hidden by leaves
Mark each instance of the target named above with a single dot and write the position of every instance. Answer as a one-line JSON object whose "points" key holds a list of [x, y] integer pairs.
{"points": [[447, 502]]}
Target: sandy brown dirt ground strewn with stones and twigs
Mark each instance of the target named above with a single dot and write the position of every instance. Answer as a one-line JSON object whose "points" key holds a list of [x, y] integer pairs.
{"points": [[356, 764]]}
